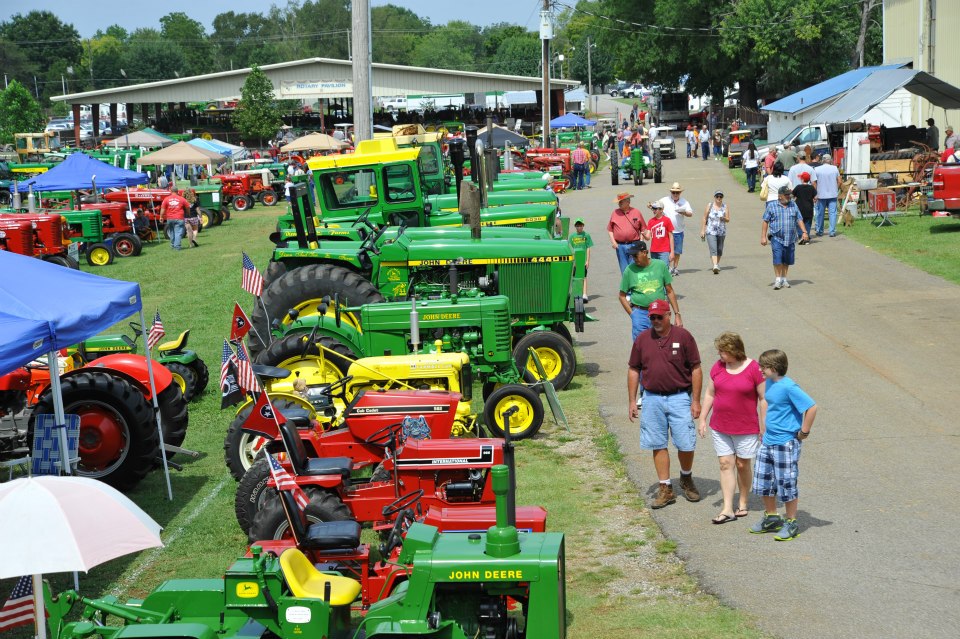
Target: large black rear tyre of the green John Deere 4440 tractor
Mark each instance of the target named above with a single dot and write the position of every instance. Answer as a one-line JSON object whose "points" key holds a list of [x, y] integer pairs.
{"points": [[303, 289]]}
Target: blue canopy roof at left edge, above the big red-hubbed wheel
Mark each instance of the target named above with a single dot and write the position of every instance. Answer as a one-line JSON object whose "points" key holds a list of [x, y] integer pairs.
{"points": [[47, 307]]}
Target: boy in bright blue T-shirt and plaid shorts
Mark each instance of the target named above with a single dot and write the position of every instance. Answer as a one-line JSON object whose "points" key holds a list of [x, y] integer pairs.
{"points": [[786, 424]]}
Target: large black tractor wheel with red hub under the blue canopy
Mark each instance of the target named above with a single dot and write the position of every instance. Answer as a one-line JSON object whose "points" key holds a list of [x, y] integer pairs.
{"points": [[118, 435]]}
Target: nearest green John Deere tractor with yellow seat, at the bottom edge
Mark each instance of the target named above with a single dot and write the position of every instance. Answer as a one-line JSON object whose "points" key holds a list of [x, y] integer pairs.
{"points": [[459, 585]]}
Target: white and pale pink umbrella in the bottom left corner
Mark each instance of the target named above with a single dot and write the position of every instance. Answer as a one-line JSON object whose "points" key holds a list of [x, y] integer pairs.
{"points": [[64, 524]]}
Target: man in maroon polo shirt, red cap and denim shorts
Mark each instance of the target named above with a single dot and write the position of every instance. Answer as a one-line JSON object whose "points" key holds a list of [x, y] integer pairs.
{"points": [[668, 357]]}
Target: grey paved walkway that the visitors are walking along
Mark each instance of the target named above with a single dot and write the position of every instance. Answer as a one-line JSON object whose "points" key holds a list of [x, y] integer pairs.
{"points": [[874, 343]]}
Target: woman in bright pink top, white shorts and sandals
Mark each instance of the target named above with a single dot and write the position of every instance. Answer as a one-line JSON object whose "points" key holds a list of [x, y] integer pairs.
{"points": [[735, 392]]}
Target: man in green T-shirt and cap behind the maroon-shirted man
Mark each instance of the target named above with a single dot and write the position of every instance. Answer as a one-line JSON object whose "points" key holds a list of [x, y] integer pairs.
{"points": [[644, 281]]}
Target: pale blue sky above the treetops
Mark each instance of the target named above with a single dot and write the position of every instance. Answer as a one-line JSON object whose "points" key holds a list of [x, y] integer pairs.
{"points": [[87, 17]]}
